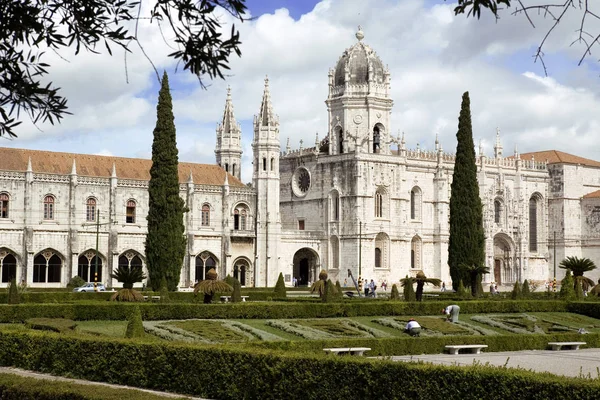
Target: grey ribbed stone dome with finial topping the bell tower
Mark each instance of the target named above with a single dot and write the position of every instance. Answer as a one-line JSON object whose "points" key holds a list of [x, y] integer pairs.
{"points": [[362, 64]]}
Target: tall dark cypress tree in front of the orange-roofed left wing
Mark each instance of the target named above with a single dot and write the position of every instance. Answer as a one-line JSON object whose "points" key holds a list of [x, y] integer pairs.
{"points": [[165, 241]]}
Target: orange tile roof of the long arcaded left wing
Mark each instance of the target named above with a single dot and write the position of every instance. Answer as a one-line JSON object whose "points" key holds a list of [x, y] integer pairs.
{"points": [[101, 166]]}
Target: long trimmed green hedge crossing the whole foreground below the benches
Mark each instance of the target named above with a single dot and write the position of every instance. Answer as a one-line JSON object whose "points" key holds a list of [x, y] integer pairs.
{"points": [[222, 373]]}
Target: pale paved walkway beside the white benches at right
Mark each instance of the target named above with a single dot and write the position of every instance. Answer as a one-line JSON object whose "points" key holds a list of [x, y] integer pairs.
{"points": [[582, 362]]}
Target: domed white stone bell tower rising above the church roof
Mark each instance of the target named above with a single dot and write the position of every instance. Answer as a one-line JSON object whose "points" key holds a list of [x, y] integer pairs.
{"points": [[359, 104]]}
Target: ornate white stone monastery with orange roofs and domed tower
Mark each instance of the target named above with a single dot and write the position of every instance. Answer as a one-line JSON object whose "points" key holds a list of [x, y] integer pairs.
{"points": [[357, 200]]}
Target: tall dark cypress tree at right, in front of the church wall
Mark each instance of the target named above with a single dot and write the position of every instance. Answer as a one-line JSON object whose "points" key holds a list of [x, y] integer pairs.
{"points": [[467, 240]]}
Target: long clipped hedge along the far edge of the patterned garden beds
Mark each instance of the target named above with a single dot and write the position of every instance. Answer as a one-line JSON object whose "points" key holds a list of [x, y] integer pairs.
{"points": [[256, 310]]}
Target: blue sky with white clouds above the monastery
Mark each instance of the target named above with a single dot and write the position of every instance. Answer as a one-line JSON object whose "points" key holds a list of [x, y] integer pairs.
{"points": [[433, 57]]}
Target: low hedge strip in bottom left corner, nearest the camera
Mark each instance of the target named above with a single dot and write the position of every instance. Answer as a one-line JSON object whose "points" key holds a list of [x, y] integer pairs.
{"points": [[15, 387]]}
